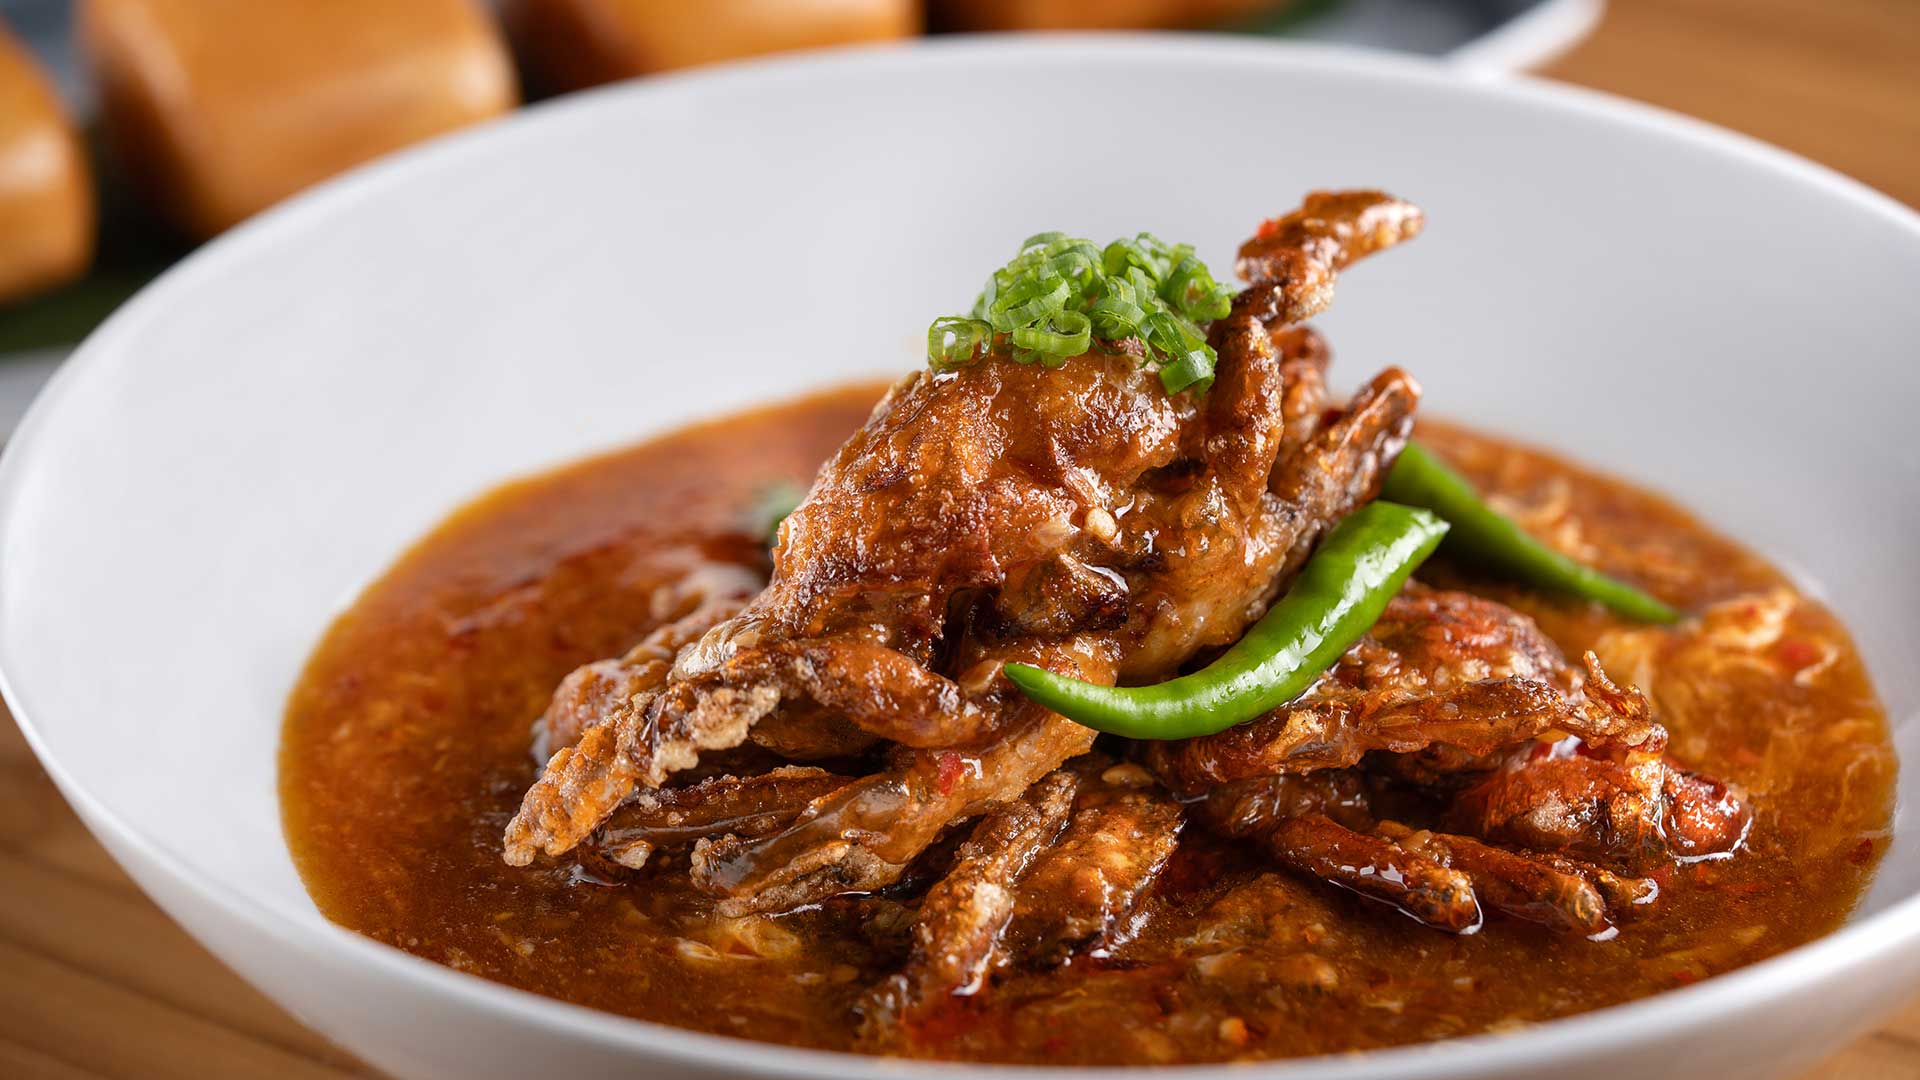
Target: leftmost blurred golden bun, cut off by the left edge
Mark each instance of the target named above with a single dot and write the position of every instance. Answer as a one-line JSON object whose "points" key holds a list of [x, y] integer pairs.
{"points": [[47, 199]]}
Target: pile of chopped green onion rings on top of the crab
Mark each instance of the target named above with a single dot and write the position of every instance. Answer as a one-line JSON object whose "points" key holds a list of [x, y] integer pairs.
{"points": [[1061, 295]]}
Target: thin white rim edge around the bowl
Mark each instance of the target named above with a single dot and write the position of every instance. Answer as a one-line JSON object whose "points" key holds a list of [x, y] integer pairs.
{"points": [[1858, 943]]}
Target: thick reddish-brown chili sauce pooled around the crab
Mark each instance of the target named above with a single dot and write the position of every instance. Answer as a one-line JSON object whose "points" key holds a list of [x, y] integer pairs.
{"points": [[406, 750]]}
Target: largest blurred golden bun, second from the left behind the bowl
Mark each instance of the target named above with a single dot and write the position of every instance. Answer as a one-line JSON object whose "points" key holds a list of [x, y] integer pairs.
{"points": [[220, 109]]}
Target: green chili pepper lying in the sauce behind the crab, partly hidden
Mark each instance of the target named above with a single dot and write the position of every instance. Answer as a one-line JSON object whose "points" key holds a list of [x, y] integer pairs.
{"points": [[1487, 537]]}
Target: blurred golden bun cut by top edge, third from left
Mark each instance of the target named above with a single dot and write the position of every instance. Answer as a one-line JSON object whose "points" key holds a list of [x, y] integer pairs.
{"points": [[581, 43]]}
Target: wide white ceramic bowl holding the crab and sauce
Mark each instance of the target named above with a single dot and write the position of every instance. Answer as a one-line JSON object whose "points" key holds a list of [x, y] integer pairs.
{"points": [[251, 441]]}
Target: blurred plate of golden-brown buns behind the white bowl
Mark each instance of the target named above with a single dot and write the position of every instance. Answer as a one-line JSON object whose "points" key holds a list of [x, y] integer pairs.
{"points": [[135, 130]]}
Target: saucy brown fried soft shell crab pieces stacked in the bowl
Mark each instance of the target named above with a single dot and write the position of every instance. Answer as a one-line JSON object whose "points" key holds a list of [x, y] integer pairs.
{"points": [[1086, 520]]}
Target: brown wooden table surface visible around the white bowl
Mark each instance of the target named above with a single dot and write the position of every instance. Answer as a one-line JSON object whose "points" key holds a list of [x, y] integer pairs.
{"points": [[97, 983]]}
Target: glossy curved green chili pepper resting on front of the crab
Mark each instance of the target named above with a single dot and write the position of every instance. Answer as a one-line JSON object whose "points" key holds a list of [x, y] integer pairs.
{"points": [[1339, 597]]}
